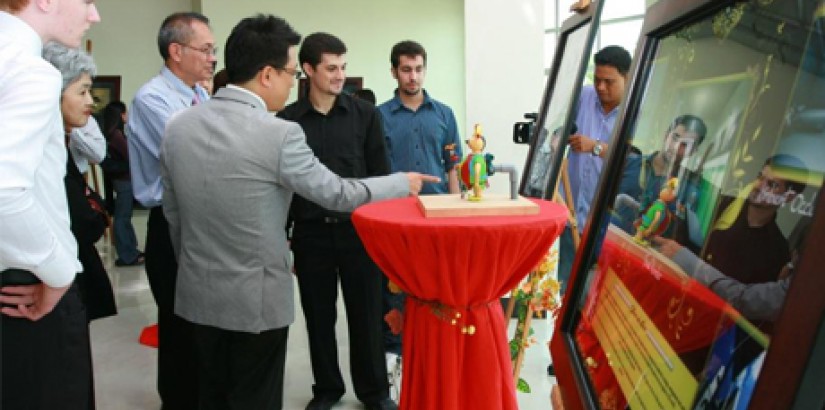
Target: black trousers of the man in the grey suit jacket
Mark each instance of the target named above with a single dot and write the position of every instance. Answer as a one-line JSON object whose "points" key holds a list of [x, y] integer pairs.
{"points": [[241, 370]]}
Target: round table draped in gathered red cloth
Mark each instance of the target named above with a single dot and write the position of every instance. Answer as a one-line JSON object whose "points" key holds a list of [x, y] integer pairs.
{"points": [[454, 270]]}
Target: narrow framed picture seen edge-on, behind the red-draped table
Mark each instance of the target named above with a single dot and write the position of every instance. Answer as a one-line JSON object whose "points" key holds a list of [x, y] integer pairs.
{"points": [[556, 117]]}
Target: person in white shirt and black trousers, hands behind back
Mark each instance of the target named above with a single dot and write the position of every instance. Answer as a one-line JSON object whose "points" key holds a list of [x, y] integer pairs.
{"points": [[42, 318]]}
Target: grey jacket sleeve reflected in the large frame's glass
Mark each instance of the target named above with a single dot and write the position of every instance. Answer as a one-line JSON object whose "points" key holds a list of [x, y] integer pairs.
{"points": [[759, 301]]}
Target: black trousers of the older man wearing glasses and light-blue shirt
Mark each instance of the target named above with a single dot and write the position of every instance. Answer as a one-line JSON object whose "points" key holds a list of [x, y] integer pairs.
{"points": [[177, 360]]}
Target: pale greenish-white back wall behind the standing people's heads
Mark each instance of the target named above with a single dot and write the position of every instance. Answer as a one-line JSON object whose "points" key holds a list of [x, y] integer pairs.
{"points": [[124, 43]]}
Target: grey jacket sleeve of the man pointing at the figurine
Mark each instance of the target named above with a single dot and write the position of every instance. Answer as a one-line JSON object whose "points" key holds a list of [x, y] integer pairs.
{"points": [[301, 172]]}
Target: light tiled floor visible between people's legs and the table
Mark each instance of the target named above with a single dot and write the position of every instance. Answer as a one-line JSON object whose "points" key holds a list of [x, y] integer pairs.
{"points": [[125, 370]]}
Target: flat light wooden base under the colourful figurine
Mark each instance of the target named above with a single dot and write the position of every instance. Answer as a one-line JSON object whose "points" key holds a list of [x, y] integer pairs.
{"points": [[441, 206]]}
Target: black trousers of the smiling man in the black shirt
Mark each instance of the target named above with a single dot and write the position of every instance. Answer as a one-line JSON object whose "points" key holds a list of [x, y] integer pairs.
{"points": [[325, 253]]}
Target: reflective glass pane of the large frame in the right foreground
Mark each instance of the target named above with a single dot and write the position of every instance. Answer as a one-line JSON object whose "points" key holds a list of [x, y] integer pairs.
{"points": [[699, 245]]}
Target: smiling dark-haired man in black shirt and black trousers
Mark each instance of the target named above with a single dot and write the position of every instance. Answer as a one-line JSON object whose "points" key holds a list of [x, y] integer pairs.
{"points": [[345, 133]]}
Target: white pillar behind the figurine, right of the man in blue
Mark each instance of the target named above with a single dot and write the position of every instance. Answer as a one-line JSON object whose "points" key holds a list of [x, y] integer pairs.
{"points": [[504, 73]]}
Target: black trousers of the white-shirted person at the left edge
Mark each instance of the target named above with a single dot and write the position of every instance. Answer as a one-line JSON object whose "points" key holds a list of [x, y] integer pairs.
{"points": [[47, 364]]}
